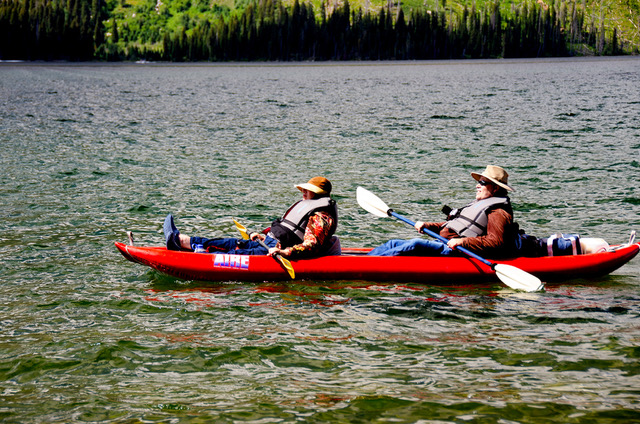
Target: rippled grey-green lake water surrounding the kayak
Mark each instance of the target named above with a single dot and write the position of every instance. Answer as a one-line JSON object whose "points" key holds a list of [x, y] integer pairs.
{"points": [[90, 151]]}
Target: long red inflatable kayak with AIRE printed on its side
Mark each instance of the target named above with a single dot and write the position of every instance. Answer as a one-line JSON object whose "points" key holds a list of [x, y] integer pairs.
{"points": [[354, 264]]}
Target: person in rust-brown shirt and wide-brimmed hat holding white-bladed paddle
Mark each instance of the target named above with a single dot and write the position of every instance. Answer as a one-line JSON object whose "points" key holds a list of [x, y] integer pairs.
{"points": [[484, 226]]}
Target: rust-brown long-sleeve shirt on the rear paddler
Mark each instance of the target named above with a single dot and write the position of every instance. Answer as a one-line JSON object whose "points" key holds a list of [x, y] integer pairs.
{"points": [[491, 244]]}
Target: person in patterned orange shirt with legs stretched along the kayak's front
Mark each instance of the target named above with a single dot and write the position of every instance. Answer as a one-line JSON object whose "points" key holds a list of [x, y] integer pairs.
{"points": [[306, 229]]}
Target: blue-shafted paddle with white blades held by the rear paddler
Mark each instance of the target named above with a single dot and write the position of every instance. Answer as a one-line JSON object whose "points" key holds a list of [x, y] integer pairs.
{"points": [[511, 276]]}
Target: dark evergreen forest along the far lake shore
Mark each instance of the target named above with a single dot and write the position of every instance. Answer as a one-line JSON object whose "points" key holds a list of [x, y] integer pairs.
{"points": [[270, 30]]}
